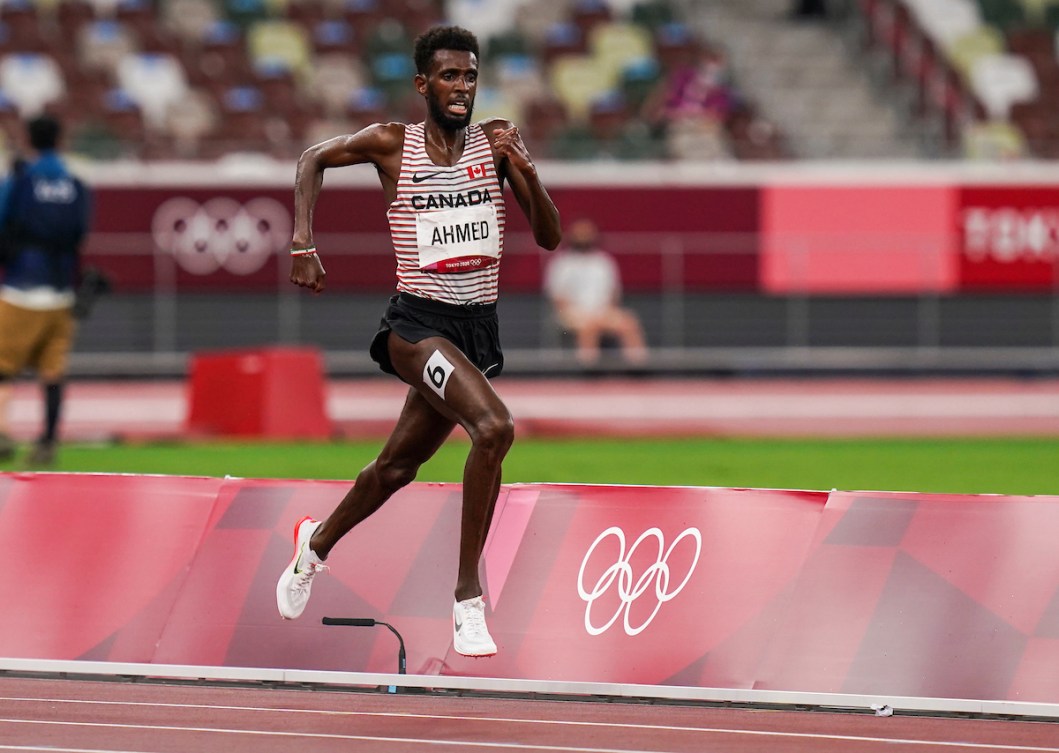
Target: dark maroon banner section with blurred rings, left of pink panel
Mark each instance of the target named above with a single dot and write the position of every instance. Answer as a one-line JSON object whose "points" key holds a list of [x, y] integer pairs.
{"points": [[196, 240]]}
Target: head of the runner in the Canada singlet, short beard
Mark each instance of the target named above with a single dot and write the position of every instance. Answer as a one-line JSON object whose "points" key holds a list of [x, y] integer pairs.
{"points": [[446, 62]]}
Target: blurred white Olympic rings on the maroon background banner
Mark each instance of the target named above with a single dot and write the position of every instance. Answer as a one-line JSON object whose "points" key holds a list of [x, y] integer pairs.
{"points": [[222, 234]]}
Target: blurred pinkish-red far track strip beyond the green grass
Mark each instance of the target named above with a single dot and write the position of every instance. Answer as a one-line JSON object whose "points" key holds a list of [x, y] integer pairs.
{"points": [[618, 407]]}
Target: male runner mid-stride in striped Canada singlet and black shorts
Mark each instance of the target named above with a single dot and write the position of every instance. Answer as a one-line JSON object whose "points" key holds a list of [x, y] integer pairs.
{"points": [[443, 182]]}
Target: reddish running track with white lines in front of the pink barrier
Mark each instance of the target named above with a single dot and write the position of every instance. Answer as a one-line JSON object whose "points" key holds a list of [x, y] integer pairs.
{"points": [[69, 715]]}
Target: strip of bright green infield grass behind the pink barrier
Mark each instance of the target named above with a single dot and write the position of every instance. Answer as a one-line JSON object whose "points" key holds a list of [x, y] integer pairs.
{"points": [[1012, 467]]}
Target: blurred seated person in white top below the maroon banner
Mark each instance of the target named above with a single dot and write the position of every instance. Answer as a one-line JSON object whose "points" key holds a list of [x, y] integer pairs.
{"points": [[585, 288]]}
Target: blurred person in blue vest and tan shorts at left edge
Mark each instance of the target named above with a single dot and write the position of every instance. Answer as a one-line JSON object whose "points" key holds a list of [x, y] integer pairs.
{"points": [[44, 219]]}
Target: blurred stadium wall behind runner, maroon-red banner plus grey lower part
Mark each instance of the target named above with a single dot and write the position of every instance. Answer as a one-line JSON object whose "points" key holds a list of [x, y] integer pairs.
{"points": [[719, 261]]}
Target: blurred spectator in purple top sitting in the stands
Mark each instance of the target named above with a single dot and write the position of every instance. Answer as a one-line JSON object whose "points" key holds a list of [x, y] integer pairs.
{"points": [[691, 106]]}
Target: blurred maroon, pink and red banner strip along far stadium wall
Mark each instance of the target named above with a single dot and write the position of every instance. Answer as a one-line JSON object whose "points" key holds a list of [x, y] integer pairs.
{"points": [[841, 237]]}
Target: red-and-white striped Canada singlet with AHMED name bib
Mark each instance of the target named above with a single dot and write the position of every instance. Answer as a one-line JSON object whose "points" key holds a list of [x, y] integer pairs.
{"points": [[447, 223]]}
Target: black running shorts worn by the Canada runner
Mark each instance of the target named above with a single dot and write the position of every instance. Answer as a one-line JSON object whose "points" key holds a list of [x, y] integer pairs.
{"points": [[473, 329]]}
